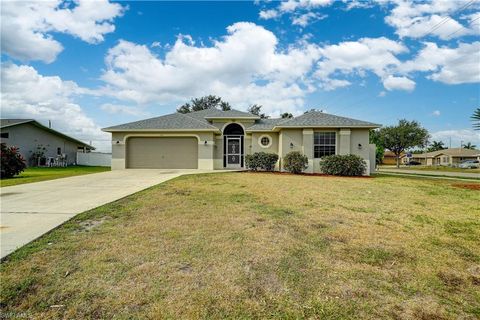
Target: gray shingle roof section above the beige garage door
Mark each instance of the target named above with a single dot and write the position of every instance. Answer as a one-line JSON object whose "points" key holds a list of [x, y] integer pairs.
{"points": [[170, 121]]}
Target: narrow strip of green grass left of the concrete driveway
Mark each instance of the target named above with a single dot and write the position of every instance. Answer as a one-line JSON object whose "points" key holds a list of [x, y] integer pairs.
{"points": [[42, 174]]}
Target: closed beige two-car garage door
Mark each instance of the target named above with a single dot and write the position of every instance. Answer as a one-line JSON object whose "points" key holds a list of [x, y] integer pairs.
{"points": [[162, 153]]}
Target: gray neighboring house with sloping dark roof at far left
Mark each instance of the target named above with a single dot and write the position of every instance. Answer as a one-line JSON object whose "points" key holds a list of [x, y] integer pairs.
{"points": [[29, 136]]}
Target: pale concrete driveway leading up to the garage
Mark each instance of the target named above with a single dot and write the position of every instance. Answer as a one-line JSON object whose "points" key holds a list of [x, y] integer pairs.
{"points": [[30, 210]]}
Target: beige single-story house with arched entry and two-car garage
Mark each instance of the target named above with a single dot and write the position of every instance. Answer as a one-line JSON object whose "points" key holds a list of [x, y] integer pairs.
{"points": [[216, 139]]}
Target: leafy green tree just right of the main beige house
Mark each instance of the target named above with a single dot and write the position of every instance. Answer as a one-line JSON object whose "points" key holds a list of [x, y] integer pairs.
{"points": [[405, 135]]}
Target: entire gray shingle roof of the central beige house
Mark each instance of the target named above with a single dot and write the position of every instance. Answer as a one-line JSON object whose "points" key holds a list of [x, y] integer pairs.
{"points": [[199, 120]]}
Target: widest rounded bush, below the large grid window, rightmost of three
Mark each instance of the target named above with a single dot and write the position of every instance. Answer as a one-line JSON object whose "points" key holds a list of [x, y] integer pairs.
{"points": [[343, 165]]}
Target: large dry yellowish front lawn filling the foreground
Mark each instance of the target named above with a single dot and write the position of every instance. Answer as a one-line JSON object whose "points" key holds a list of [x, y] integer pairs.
{"points": [[245, 245]]}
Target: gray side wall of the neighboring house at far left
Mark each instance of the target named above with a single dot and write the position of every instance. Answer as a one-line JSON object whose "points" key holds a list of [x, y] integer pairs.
{"points": [[28, 136]]}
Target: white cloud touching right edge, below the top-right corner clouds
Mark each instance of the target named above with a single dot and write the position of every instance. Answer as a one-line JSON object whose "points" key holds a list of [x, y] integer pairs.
{"points": [[447, 65]]}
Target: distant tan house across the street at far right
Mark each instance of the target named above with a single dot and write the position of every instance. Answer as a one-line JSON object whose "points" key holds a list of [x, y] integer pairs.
{"points": [[446, 157]]}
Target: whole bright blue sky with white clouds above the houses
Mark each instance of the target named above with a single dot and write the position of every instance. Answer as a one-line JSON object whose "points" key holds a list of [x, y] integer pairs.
{"points": [[88, 65]]}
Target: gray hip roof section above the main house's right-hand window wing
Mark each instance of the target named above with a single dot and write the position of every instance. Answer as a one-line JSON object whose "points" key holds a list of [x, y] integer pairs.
{"points": [[321, 119]]}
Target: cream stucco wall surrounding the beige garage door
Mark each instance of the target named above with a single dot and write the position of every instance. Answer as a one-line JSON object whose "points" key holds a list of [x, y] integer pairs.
{"points": [[205, 150]]}
